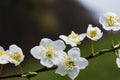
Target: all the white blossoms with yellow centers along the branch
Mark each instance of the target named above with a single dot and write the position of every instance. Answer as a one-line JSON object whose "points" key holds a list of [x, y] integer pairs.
{"points": [[53, 53]]}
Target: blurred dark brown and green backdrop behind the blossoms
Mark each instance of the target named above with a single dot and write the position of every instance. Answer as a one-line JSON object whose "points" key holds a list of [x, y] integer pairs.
{"points": [[26, 22]]}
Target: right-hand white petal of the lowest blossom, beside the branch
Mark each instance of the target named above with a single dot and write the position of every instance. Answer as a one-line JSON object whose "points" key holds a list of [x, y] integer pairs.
{"points": [[81, 63]]}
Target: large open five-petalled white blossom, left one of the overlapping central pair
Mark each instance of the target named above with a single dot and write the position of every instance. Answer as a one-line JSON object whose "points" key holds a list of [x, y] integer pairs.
{"points": [[49, 52]]}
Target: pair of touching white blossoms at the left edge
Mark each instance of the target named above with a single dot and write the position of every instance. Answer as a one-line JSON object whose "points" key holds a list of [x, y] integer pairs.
{"points": [[13, 55]]}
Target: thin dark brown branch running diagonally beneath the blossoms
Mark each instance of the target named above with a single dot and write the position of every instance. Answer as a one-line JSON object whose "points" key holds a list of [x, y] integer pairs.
{"points": [[101, 52]]}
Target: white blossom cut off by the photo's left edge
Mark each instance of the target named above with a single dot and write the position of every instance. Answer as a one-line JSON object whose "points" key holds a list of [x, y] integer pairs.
{"points": [[4, 56]]}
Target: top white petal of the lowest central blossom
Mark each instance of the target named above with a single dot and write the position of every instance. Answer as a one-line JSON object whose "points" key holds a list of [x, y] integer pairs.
{"points": [[74, 52]]}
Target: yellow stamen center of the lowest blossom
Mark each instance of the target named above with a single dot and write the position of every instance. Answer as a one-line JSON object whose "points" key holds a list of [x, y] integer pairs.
{"points": [[68, 64]]}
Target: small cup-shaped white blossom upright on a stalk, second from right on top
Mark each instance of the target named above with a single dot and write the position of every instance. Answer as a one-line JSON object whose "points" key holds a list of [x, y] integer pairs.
{"points": [[94, 33]]}
